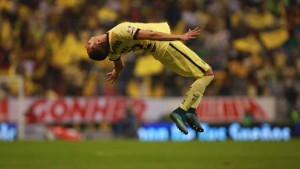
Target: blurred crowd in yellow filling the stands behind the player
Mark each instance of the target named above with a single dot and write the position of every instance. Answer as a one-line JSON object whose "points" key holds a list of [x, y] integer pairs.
{"points": [[252, 45]]}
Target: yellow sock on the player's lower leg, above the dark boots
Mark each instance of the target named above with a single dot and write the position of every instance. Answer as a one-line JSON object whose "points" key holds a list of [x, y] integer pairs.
{"points": [[195, 93]]}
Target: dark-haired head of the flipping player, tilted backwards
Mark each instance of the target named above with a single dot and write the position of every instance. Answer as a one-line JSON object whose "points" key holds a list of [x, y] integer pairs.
{"points": [[98, 47]]}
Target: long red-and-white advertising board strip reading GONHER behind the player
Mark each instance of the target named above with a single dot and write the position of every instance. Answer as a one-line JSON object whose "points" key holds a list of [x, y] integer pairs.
{"points": [[211, 109]]}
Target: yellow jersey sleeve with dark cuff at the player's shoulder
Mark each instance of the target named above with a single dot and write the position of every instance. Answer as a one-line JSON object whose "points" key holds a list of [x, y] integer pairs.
{"points": [[125, 31]]}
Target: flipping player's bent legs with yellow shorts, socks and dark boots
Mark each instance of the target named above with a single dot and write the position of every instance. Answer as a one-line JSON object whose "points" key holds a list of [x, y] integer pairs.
{"points": [[183, 61]]}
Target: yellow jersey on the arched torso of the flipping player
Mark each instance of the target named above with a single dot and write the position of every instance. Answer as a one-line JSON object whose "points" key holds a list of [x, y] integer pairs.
{"points": [[122, 39]]}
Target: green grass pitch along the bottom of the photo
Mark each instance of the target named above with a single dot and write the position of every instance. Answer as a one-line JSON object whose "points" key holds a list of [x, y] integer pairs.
{"points": [[132, 154]]}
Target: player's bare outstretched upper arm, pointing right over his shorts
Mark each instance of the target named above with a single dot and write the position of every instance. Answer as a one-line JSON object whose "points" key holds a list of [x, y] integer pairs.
{"points": [[147, 35]]}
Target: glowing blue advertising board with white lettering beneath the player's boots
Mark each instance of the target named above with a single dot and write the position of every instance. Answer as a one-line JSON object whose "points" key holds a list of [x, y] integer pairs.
{"points": [[158, 132]]}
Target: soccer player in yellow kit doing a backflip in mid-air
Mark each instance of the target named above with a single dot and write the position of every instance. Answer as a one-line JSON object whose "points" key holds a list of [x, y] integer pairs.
{"points": [[167, 48]]}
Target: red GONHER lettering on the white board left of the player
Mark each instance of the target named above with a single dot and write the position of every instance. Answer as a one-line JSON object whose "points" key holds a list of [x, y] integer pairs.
{"points": [[83, 110]]}
